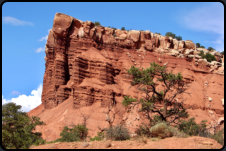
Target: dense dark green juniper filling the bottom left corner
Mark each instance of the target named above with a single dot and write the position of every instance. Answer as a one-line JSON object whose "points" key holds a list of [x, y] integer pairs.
{"points": [[17, 128]]}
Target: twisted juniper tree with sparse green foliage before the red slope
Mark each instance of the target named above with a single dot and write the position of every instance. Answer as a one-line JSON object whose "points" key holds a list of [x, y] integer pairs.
{"points": [[173, 86]]}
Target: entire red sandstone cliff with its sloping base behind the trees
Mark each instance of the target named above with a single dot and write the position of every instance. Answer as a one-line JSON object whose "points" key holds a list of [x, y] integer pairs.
{"points": [[86, 67]]}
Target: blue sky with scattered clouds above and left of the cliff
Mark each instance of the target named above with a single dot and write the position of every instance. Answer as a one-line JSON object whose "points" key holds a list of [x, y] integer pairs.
{"points": [[25, 27]]}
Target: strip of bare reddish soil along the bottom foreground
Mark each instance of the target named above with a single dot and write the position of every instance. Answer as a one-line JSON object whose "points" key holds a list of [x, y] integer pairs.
{"points": [[194, 142]]}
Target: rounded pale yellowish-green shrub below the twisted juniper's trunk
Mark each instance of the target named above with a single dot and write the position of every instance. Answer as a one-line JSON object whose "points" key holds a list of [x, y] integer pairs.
{"points": [[161, 130]]}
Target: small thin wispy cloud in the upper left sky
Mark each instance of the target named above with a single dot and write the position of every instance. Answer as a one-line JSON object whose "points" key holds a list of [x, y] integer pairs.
{"points": [[14, 21]]}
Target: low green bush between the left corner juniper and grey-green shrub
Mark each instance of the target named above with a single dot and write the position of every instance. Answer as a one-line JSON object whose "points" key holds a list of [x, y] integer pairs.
{"points": [[77, 133]]}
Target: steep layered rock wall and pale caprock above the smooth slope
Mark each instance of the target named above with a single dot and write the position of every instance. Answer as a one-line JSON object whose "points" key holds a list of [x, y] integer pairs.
{"points": [[70, 37]]}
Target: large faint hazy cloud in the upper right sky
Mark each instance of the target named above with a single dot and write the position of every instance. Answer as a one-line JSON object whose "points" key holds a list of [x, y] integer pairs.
{"points": [[209, 18]]}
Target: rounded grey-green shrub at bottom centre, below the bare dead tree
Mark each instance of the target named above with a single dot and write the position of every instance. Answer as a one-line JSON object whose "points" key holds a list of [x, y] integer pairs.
{"points": [[117, 133]]}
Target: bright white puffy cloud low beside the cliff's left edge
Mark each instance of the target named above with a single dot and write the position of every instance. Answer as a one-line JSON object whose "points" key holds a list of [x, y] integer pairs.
{"points": [[27, 102]]}
